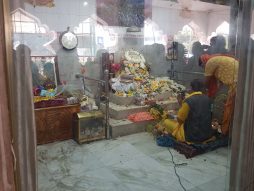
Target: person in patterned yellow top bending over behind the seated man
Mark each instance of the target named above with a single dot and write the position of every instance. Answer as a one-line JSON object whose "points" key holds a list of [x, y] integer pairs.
{"points": [[221, 77]]}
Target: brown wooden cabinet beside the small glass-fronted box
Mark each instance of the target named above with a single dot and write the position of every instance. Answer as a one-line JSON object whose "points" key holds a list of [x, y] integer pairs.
{"points": [[55, 123]]}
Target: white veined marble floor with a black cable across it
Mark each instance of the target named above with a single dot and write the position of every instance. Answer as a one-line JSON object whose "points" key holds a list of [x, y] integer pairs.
{"points": [[130, 163]]}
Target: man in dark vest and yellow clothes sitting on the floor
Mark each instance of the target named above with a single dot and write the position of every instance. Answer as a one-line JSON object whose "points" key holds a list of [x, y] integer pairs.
{"points": [[194, 122]]}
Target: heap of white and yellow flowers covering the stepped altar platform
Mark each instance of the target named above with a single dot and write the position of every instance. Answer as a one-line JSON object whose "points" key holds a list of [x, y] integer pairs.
{"points": [[134, 80]]}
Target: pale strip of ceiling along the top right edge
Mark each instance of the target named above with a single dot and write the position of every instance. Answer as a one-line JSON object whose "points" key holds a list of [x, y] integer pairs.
{"points": [[192, 5]]}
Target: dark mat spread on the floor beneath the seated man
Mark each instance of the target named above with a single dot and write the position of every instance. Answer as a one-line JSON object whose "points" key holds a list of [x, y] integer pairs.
{"points": [[191, 150]]}
